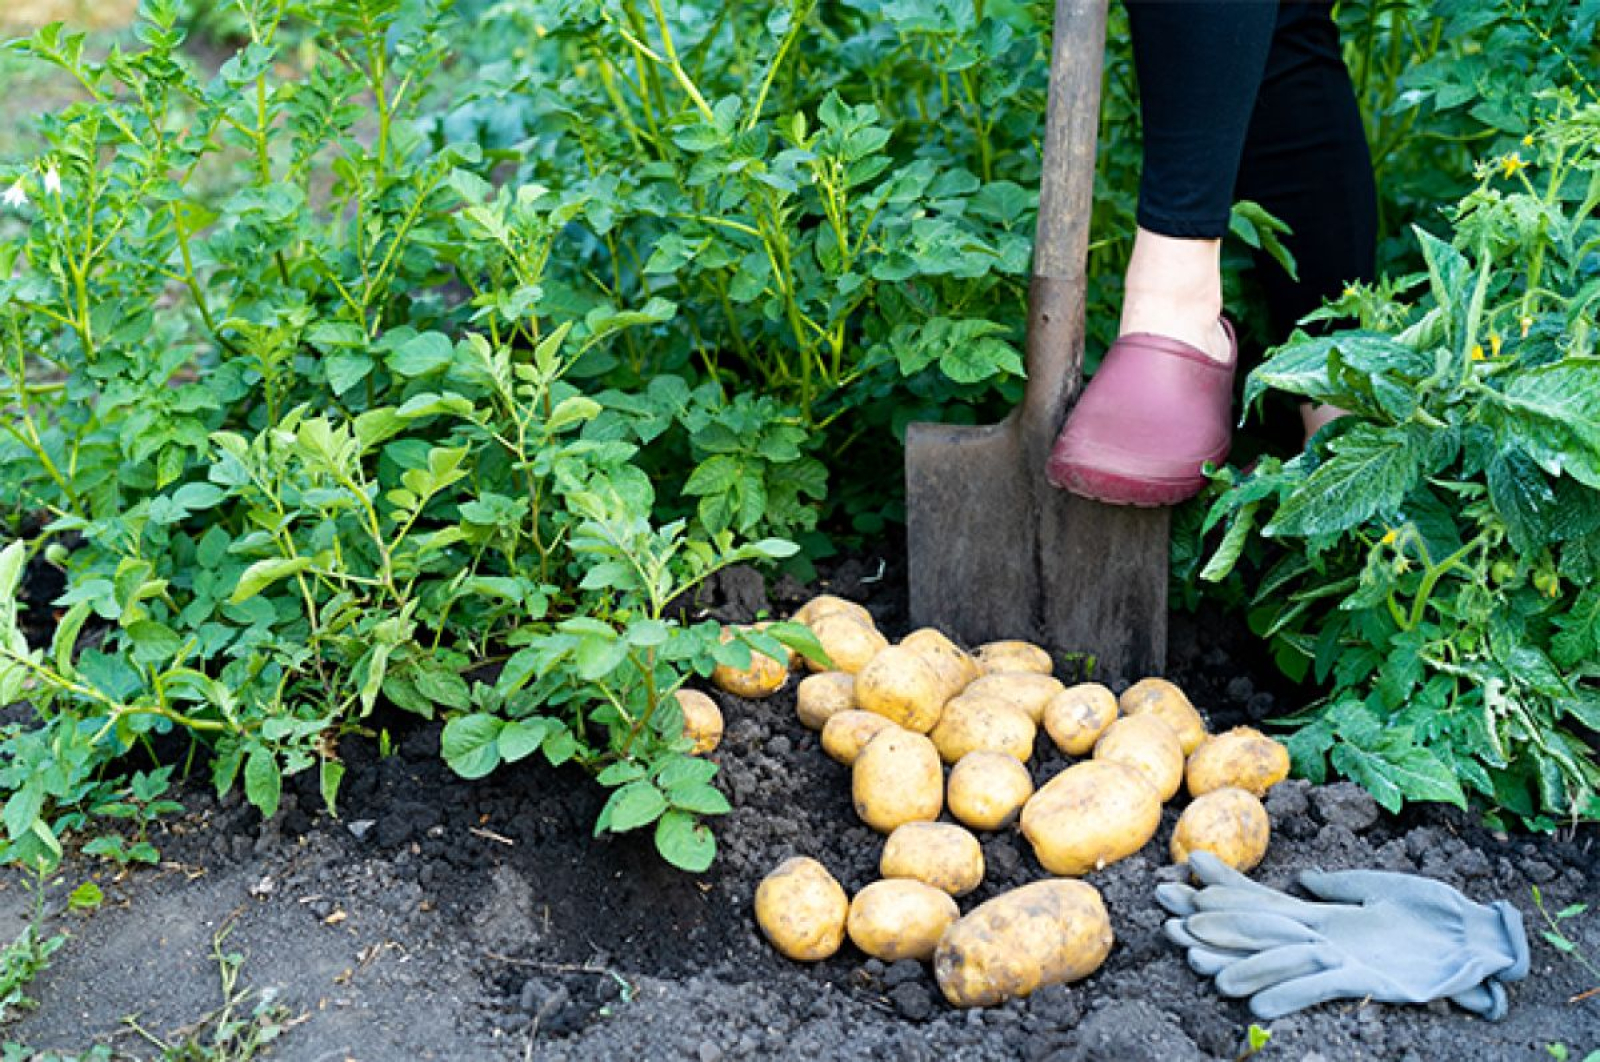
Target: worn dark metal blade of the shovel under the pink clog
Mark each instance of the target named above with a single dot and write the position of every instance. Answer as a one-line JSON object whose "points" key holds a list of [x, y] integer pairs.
{"points": [[996, 553]]}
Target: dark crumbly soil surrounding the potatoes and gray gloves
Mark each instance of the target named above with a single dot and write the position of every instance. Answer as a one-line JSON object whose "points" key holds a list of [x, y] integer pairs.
{"points": [[441, 919]]}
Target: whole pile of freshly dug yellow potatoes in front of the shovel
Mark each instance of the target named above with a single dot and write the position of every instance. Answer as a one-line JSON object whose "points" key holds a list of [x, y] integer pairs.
{"points": [[927, 729]]}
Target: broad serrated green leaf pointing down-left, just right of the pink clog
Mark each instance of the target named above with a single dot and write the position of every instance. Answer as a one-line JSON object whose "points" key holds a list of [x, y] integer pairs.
{"points": [[1372, 471]]}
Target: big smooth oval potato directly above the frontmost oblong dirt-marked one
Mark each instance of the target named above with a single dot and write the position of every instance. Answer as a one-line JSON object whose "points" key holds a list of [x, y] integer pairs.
{"points": [[1090, 815]]}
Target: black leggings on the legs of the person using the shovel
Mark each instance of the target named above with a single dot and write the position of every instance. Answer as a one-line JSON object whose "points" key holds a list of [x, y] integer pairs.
{"points": [[1252, 100]]}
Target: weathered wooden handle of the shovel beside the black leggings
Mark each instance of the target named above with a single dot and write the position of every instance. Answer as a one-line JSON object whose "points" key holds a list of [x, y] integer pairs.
{"points": [[1066, 201]]}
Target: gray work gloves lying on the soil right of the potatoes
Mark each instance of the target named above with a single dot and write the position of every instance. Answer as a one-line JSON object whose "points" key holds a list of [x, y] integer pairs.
{"points": [[1394, 938]]}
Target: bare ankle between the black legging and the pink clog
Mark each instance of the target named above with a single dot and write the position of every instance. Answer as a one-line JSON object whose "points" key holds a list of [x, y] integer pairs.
{"points": [[1175, 289]]}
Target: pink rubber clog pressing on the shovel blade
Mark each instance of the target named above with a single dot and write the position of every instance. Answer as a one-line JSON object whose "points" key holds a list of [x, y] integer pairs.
{"points": [[1154, 413]]}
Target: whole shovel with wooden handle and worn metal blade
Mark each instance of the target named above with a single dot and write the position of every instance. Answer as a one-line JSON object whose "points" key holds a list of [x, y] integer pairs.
{"points": [[994, 549]]}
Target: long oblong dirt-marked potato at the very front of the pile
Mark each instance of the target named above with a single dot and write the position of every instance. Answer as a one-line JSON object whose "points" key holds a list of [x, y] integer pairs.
{"points": [[1041, 935]]}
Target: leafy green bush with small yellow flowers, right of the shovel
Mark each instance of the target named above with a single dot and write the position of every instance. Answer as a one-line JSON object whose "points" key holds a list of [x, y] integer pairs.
{"points": [[1439, 549]]}
